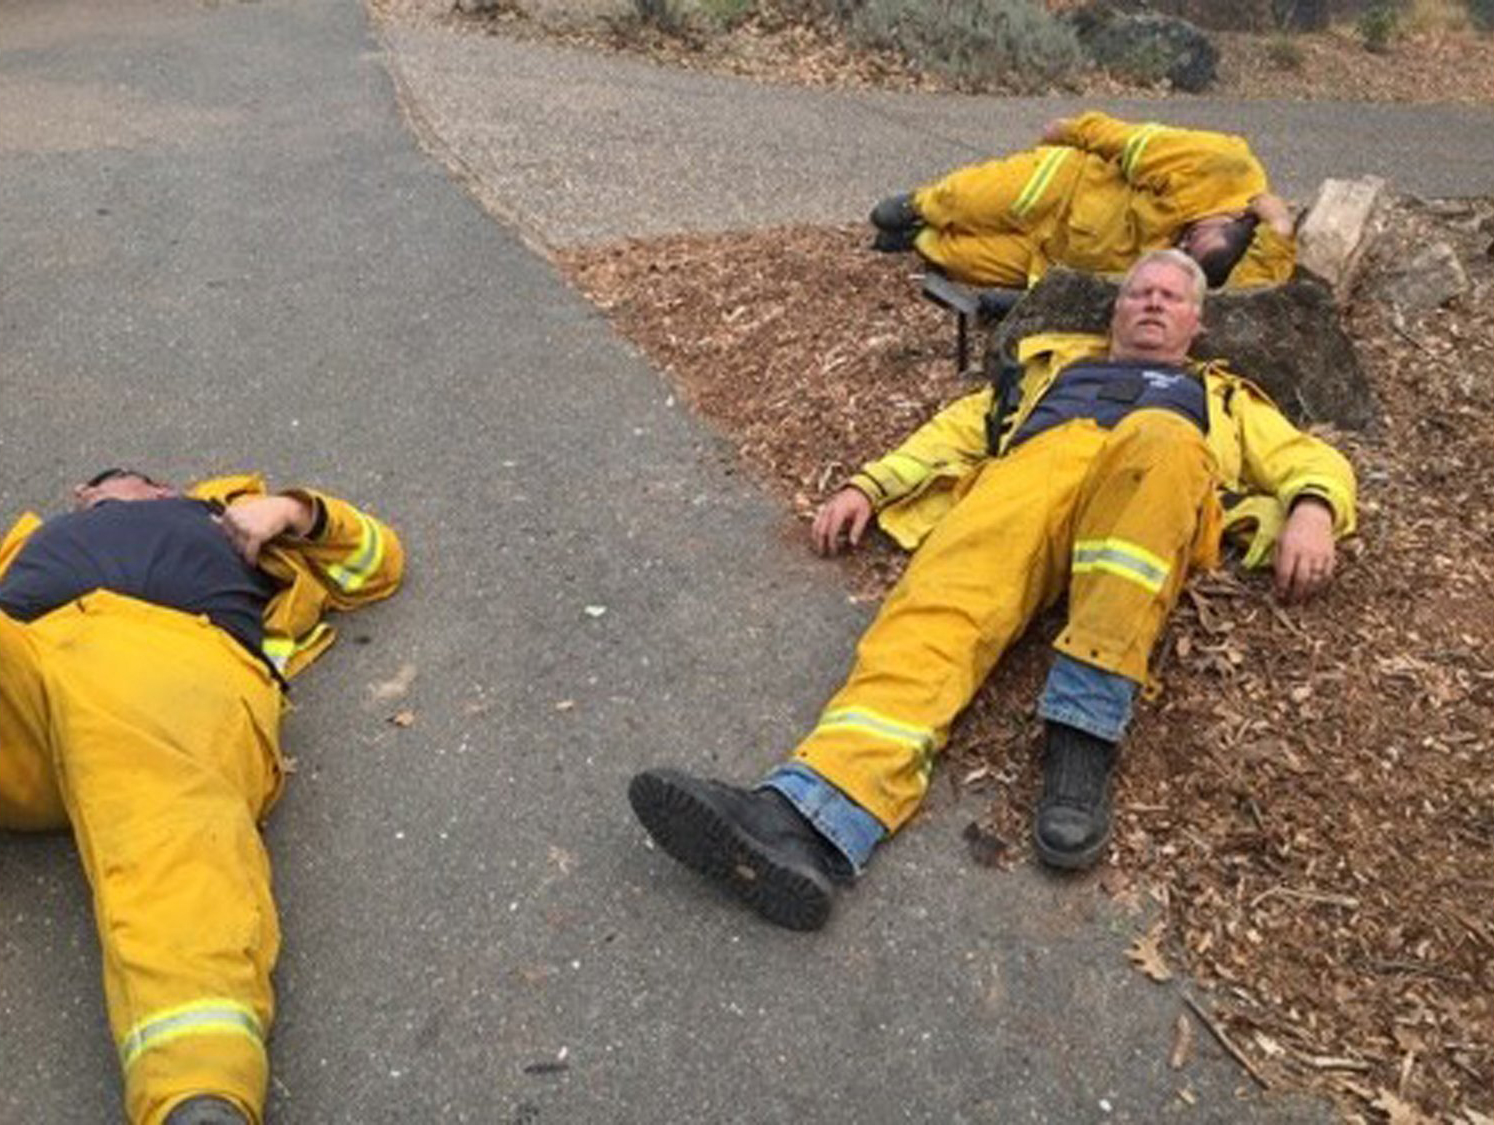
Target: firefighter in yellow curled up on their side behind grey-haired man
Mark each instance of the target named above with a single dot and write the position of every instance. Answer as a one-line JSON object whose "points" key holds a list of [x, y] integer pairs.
{"points": [[1096, 196]]}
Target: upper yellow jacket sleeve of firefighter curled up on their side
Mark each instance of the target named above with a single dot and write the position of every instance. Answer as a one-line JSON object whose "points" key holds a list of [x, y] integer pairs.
{"points": [[1199, 173]]}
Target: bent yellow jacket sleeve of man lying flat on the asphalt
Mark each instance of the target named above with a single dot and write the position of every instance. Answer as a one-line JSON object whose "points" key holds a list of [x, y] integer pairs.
{"points": [[358, 558]]}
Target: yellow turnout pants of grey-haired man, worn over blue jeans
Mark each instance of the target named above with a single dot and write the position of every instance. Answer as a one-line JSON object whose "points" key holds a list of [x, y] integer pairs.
{"points": [[1112, 516]]}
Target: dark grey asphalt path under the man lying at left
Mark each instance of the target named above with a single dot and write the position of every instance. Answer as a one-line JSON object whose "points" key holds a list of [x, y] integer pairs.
{"points": [[222, 249]]}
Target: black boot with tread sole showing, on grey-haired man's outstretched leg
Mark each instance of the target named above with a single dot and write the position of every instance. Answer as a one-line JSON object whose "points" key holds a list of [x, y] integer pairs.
{"points": [[751, 842]]}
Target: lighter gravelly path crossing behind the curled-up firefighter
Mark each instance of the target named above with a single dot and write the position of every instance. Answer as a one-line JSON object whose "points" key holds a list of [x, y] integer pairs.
{"points": [[574, 147]]}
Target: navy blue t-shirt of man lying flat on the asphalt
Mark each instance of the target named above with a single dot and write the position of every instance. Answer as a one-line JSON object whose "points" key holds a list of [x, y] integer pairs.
{"points": [[168, 552]]}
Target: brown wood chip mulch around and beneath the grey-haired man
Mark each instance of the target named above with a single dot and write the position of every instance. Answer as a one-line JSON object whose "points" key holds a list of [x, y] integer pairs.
{"points": [[1309, 803]]}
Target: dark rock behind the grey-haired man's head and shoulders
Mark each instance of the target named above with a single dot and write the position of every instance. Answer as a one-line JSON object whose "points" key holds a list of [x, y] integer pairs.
{"points": [[1286, 338]]}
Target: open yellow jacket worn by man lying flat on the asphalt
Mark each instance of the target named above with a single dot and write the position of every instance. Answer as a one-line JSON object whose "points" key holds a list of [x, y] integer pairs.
{"points": [[355, 560]]}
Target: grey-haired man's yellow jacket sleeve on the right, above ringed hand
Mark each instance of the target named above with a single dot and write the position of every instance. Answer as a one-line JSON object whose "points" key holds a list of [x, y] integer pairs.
{"points": [[1286, 462]]}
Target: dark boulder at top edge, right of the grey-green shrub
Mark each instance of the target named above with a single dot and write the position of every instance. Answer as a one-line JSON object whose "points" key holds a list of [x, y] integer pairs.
{"points": [[1147, 46]]}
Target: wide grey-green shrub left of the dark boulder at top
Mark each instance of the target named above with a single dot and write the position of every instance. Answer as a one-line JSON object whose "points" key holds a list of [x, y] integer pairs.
{"points": [[973, 43]]}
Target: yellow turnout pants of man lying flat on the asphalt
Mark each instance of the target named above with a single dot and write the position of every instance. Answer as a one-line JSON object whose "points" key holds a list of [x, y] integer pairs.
{"points": [[156, 737]]}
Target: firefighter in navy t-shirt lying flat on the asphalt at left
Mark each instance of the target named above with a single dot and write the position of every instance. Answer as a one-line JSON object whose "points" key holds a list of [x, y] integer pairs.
{"points": [[146, 640]]}
